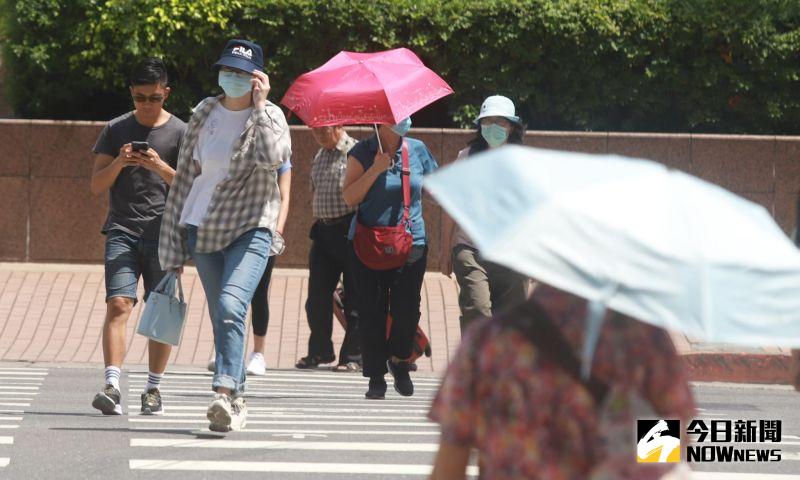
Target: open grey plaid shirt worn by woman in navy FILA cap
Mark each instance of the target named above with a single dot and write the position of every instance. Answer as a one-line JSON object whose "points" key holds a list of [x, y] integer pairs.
{"points": [[247, 198]]}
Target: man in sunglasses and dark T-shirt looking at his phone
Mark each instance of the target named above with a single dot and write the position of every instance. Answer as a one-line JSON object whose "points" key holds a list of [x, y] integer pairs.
{"points": [[135, 160]]}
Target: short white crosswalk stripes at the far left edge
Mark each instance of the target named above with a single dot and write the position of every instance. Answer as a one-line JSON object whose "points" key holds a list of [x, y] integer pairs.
{"points": [[18, 387]]}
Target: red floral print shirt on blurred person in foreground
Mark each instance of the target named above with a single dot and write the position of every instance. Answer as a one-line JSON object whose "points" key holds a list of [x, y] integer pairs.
{"points": [[530, 419]]}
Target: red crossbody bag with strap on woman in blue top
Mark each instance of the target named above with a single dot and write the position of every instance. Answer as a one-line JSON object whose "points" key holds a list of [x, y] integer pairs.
{"points": [[385, 248]]}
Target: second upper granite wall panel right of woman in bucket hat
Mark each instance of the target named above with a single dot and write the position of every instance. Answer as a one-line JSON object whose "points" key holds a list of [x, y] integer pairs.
{"points": [[671, 150]]}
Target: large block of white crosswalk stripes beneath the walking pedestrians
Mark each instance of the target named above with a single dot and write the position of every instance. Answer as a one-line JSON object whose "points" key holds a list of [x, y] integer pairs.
{"points": [[303, 423]]}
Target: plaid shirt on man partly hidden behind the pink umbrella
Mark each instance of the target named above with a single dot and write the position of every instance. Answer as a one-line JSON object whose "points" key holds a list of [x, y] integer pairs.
{"points": [[328, 170]]}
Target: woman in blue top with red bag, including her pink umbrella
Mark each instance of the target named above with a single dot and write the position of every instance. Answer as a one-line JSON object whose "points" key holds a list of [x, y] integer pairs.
{"points": [[384, 179]]}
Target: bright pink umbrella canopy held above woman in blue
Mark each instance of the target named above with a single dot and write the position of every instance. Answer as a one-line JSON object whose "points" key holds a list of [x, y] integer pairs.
{"points": [[352, 88]]}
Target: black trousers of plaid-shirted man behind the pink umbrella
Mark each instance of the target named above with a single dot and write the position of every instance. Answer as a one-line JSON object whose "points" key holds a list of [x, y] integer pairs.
{"points": [[327, 262]]}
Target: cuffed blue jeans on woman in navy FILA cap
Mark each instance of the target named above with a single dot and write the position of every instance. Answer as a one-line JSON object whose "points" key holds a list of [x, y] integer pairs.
{"points": [[229, 278]]}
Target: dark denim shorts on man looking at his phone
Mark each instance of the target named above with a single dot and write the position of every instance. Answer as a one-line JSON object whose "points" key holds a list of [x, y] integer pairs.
{"points": [[127, 258]]}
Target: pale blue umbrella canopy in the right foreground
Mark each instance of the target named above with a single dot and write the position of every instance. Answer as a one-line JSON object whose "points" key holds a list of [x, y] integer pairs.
{"points": [[647, 241]]}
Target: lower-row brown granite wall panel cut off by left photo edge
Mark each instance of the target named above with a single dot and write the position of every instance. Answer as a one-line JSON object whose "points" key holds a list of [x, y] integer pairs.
{"points": [[14, 218]]}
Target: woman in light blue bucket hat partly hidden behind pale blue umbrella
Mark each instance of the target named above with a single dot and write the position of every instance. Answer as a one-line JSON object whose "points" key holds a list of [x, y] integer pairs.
{"points": [[485, 287]]}
